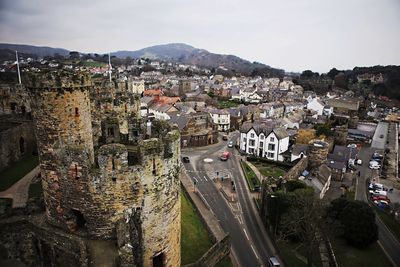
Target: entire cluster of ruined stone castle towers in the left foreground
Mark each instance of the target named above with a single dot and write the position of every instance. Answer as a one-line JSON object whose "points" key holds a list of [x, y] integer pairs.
{"points": [[118, 183]]}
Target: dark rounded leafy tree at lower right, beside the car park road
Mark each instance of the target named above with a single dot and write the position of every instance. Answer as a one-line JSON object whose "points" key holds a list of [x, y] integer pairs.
{"points": [[357, 221]]}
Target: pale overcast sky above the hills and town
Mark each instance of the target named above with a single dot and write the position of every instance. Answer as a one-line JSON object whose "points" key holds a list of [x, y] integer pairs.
{"points": [[291, 34]]}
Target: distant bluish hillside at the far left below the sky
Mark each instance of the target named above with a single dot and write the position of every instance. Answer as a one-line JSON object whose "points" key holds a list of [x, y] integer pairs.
{"points": [[40, 51]]}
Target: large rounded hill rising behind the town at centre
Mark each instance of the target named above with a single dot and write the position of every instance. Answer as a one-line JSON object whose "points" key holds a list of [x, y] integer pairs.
{"points": [[187, 54]]}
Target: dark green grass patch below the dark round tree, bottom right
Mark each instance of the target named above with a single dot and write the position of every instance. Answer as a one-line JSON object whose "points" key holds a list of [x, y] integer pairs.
{"points": [[347, 255]]}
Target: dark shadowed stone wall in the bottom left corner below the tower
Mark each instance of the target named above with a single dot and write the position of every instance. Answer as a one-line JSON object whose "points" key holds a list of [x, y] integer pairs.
{"points": [[34, 243]]}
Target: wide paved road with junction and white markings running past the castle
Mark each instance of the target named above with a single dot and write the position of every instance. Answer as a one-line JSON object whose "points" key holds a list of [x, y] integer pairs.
{"points": [[250, 243]]}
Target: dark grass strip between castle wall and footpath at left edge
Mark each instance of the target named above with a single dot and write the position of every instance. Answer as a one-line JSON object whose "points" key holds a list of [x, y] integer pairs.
{"points": [[11, 175]]}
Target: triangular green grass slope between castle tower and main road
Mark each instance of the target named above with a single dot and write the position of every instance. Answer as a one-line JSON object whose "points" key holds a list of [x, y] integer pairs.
{"points": [[195, 240]]}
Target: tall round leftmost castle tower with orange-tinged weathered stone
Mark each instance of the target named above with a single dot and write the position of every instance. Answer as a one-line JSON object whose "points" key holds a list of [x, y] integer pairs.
{"points": [[64, 135]]}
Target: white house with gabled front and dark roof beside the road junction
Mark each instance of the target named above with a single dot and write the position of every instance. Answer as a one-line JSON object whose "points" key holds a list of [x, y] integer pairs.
{"points": [[264, 140]]}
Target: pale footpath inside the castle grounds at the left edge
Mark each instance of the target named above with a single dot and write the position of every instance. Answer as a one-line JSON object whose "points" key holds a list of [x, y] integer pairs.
{"points": [[19, 191]]}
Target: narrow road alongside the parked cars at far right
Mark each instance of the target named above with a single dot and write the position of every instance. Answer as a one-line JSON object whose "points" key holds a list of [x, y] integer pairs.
{"points": [[387, 241]]}
